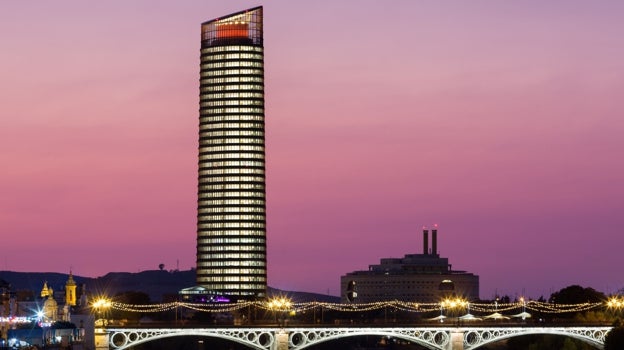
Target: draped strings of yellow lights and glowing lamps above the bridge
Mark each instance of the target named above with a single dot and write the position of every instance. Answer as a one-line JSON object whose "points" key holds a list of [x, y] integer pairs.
{"points": [[536, 306]]}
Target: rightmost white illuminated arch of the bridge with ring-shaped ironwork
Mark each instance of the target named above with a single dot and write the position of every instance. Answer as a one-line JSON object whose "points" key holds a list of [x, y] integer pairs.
{"points": [[475, 338]]}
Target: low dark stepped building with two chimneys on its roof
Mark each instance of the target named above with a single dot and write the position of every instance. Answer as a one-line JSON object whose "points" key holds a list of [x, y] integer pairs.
{"points": [[421, 278]]}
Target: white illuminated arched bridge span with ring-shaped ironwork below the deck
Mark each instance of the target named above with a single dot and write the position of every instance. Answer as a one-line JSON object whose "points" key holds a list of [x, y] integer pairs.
{"points": [[285, 338]]}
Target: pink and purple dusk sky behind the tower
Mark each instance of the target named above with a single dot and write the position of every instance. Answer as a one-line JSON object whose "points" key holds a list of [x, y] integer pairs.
{"points": [[499, 121]]}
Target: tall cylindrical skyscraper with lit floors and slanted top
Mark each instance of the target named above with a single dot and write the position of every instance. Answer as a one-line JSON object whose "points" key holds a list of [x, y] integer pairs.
{"points": [[231, 222]]}
